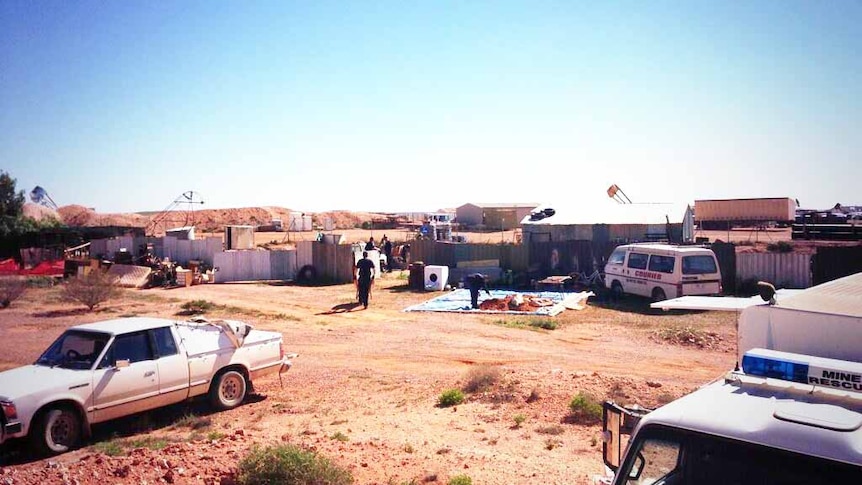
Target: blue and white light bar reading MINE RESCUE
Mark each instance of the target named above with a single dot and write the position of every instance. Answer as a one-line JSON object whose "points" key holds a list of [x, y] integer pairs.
{"points": [[807, 369]]}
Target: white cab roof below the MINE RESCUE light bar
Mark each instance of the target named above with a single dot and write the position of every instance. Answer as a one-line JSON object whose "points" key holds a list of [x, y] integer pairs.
{"points": [[747, 412]]}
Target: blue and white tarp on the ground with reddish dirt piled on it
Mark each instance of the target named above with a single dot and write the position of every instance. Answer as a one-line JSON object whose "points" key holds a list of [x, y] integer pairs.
{"points": [[547, 303]]}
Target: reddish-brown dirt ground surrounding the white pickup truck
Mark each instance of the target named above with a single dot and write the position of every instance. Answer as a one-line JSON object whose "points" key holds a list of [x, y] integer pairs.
{"points": [[363, 391]]}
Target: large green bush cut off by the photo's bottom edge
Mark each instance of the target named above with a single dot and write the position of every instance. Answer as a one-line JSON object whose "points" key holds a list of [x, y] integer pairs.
{"points": [[289, 464]]}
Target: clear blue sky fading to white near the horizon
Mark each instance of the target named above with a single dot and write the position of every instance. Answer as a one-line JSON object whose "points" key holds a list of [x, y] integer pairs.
{"points": [[401, 106]]}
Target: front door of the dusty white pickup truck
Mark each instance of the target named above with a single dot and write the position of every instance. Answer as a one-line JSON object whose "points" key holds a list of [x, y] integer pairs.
{"points": [[126, 381]]}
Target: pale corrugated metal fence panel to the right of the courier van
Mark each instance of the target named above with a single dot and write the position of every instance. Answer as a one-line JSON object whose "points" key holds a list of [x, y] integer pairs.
{"points": [[784, 270]]}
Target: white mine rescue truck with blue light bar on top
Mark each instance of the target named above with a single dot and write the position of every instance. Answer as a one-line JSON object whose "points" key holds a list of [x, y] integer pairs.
{"points": [[784, 416]]}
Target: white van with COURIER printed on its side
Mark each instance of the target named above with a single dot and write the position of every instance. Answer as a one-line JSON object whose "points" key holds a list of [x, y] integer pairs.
{"points": [[662, 271]]}
